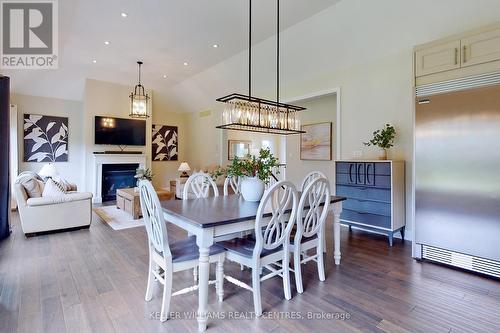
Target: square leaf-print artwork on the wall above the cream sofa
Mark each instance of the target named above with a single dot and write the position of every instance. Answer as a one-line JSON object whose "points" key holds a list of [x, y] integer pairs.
{"points": [[45, 138]]}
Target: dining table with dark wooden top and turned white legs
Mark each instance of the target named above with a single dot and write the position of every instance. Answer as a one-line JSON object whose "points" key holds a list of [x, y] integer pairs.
{"points": [[208, 218]]}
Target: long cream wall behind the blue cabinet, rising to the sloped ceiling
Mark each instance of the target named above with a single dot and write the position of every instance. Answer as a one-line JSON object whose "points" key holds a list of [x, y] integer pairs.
{"points": [[362, 46]]}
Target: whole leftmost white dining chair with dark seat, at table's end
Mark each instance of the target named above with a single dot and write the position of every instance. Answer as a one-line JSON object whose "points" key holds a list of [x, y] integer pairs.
{"points": [[167, 258]]}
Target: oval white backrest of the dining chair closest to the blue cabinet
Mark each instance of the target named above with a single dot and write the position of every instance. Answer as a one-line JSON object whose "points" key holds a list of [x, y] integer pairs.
{"points": [[313, 209]]}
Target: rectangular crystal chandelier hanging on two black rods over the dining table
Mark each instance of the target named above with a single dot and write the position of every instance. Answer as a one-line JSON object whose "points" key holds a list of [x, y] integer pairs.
{"points": [[253, 114]]}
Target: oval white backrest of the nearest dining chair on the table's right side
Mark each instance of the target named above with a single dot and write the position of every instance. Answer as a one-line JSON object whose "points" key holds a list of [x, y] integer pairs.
{"points": [[280, 201]]}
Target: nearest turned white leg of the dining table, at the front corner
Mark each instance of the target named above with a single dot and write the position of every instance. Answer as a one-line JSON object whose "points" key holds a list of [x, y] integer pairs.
{"points": [[204, 240]]}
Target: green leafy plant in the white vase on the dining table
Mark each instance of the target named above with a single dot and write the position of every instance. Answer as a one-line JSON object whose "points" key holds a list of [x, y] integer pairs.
{"points": [[260, 166]]}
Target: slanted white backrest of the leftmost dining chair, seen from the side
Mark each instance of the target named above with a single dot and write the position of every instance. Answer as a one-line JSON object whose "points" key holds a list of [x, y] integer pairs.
{"points": [[153, 219]]}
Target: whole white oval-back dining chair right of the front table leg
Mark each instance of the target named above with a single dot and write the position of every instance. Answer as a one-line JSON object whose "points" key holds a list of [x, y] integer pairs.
{"points": [[275, 218]]}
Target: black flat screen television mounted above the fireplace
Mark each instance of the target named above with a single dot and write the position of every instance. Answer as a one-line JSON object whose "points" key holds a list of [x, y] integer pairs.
{"points": [[119, 131]]}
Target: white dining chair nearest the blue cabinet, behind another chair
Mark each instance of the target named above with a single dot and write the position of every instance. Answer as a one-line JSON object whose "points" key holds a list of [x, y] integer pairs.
{"points": [[310, 234]]}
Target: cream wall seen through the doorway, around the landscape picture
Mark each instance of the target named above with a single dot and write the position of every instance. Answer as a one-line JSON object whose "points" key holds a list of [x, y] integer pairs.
{"points": [[319, 110]]}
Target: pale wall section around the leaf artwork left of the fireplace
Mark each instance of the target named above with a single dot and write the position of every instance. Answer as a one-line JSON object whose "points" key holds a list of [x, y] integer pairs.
{"points": [[71, 170]]}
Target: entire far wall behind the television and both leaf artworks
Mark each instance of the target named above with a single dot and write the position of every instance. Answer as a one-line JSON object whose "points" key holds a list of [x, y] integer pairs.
{"points": [[102, 99]]}
